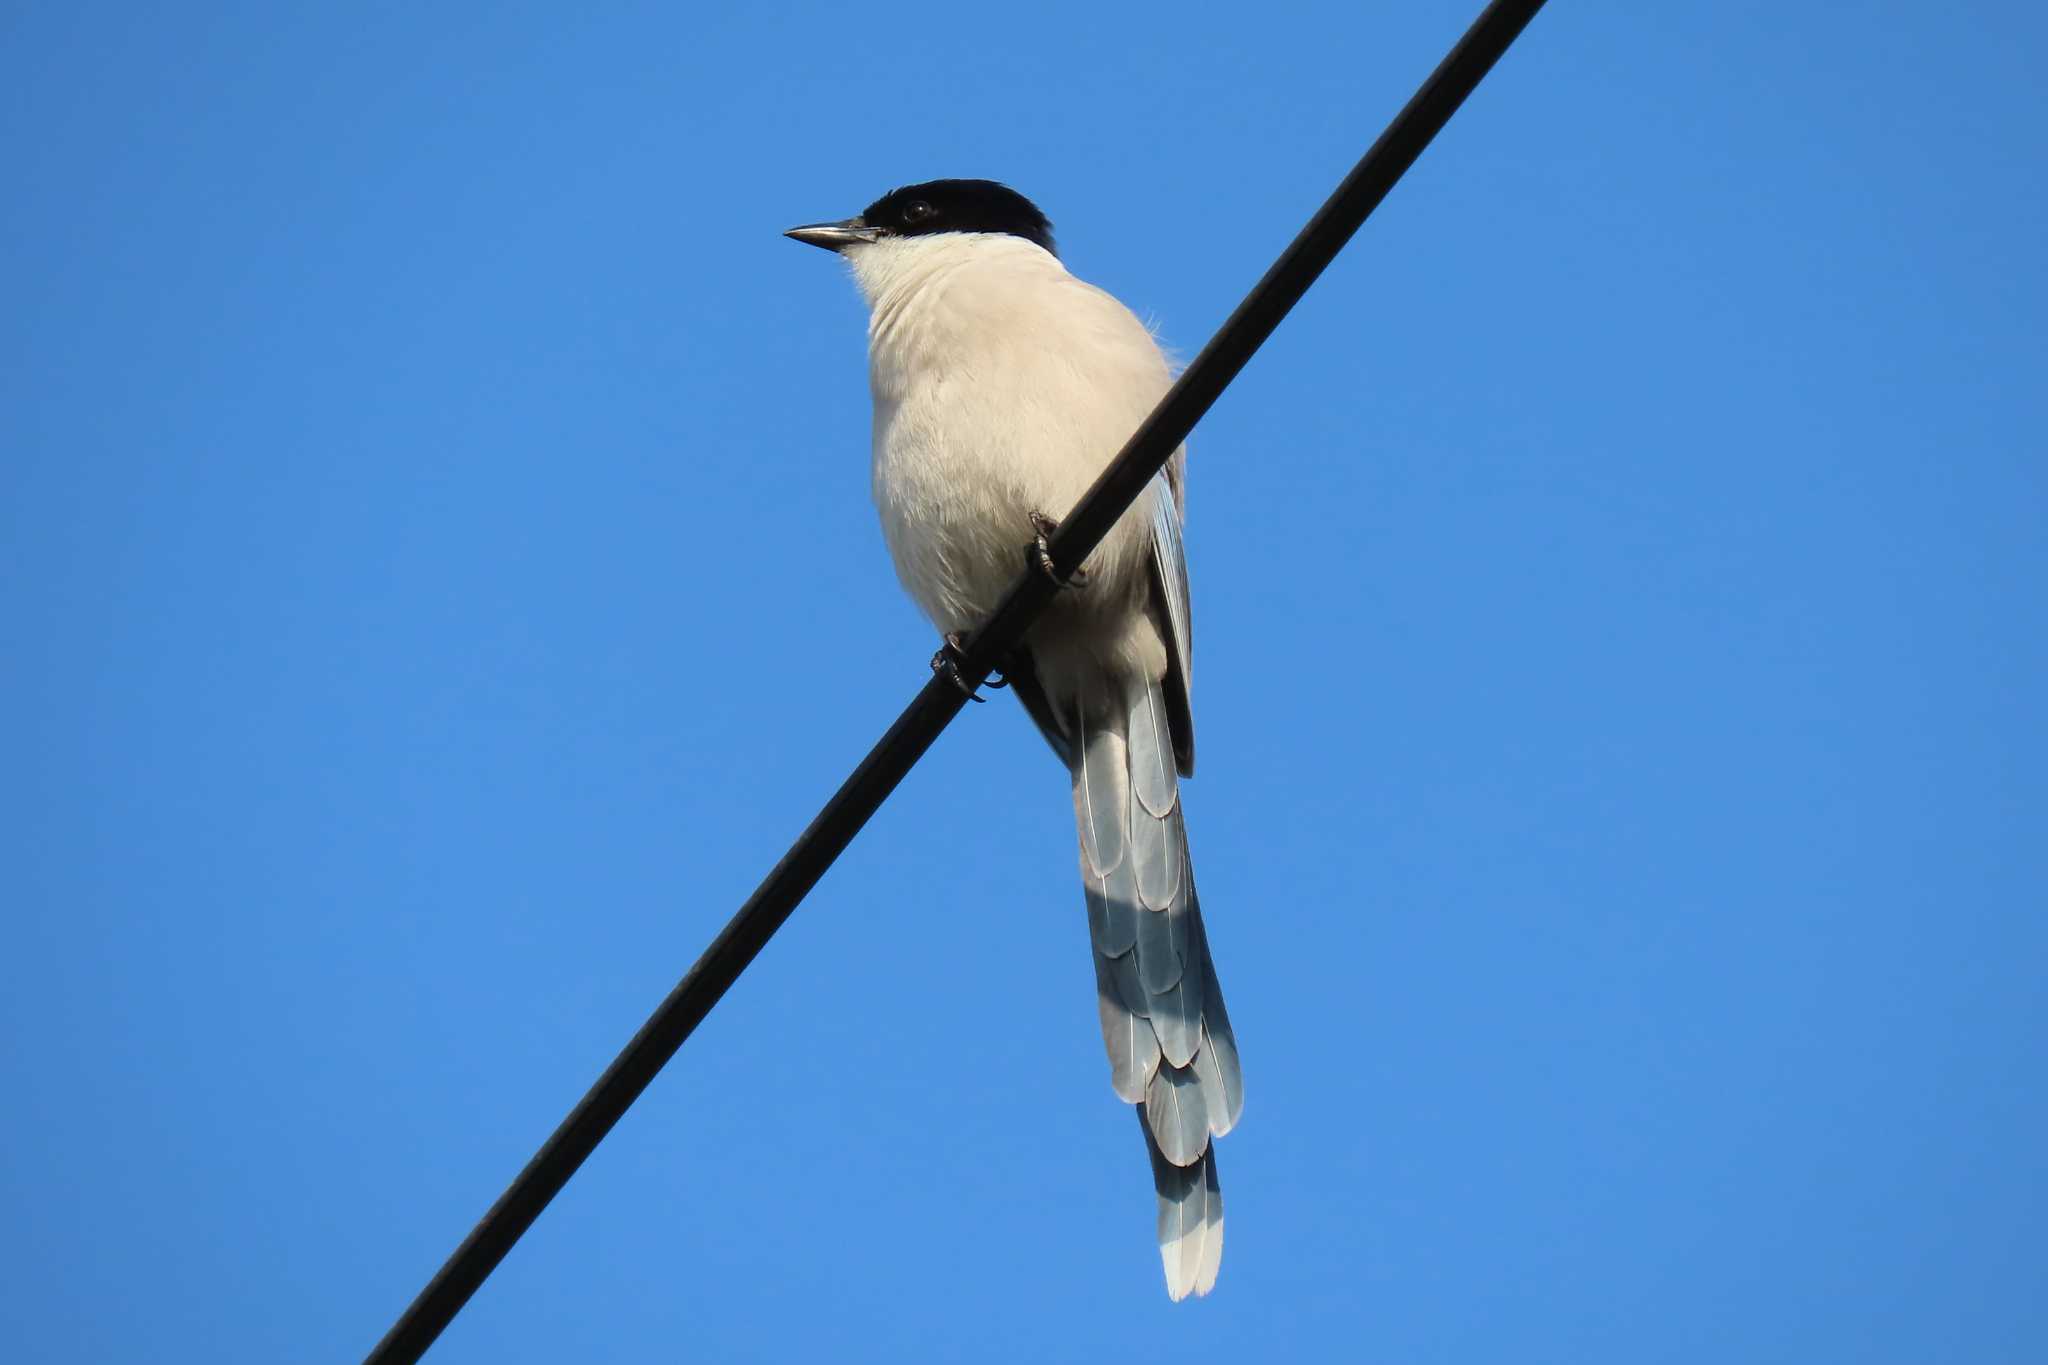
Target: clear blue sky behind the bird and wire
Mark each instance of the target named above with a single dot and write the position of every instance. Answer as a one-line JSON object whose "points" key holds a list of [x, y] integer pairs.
{"points": [[437, 580]]}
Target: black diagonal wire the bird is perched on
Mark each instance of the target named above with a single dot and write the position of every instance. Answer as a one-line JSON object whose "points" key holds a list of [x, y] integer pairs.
{"points": [[941, 701]]}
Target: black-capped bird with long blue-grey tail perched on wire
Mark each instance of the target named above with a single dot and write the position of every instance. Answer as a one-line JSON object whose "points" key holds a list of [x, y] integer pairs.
{"points": [[1002, 388]]}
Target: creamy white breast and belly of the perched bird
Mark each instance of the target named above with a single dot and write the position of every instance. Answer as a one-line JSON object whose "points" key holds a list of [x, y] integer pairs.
{"points": [[1002, 388]]}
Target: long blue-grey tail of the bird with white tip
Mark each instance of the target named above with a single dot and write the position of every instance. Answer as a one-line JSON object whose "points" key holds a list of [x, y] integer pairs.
{"points": [[1170, 1043]]}
